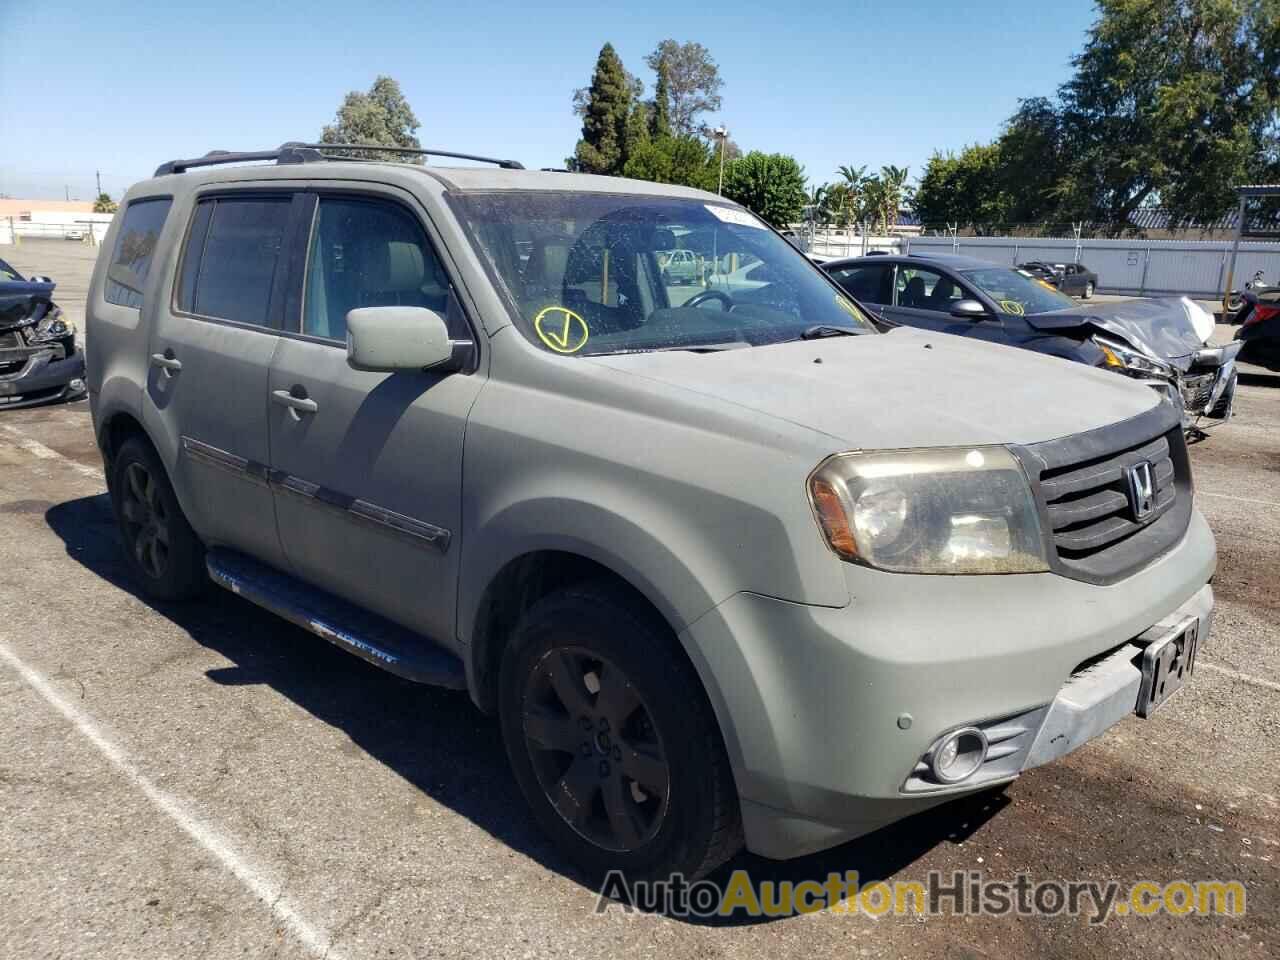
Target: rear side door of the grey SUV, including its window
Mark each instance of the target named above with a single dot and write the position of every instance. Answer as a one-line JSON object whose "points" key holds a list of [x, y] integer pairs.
{"points": [[212, 346]]}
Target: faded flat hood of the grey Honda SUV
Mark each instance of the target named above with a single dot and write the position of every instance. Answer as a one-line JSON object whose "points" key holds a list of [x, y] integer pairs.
{"points": [[906, 388]]}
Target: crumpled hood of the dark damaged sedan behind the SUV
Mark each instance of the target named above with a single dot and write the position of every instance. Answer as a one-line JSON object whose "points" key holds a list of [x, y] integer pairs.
{"points": [[1171, 330]]}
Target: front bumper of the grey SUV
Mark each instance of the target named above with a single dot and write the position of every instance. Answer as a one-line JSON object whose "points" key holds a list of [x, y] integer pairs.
{"points": [[828, 712]]}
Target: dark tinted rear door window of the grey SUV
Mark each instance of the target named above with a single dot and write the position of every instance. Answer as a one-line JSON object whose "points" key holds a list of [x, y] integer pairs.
{"points": [[237, 257]]}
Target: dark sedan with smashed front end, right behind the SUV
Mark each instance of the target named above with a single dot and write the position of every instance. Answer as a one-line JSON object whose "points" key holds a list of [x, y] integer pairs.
{"points": [[1164, 342]]}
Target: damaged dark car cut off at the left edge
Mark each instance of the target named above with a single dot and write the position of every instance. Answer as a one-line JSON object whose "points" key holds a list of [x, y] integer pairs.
{"points": [[39, 358]]}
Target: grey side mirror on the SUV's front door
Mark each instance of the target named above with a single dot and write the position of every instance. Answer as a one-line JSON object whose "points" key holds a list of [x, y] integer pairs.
{"points": [[385, 340]]}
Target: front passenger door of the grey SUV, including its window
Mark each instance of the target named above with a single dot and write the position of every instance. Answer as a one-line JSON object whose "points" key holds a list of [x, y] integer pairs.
{"points": [[367, 467]]}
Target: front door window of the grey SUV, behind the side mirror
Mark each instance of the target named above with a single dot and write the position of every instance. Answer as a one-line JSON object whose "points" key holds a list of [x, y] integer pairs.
{"points": [[371, 254]]}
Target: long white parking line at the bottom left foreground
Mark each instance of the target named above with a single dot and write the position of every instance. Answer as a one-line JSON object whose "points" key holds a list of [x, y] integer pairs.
{"points": [[316, 939]]}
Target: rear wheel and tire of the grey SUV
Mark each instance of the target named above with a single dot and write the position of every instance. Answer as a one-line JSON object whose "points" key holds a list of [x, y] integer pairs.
{"points": [[161, 547]]}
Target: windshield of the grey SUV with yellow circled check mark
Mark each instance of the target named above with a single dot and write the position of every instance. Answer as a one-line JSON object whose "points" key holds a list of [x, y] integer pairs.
{"points": [[595, 273]]}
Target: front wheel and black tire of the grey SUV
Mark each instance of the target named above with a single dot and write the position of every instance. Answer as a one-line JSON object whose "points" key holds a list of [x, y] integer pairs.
{"points": [[680, 813]]}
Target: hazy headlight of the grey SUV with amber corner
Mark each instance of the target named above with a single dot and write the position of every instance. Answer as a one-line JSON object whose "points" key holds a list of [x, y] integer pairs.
{"points": [[930, 511]]}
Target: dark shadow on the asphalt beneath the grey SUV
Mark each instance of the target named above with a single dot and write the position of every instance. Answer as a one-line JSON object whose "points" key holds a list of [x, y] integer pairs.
{"points": [[436, 739]]}
